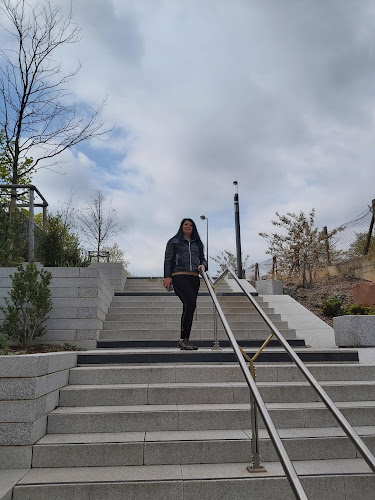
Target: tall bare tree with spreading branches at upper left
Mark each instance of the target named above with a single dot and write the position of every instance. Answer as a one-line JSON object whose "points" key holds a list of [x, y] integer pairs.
{"points": [[34, 109]]}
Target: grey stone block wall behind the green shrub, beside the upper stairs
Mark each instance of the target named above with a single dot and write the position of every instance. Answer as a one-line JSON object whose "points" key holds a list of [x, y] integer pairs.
{"points": [[81, 298]]}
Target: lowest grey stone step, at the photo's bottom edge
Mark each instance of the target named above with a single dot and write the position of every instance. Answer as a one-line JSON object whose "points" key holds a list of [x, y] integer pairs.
{"points": [[337, 480]]}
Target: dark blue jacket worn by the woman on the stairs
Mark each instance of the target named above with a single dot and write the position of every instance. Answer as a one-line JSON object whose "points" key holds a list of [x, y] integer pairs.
{"points": [[183, 255]]}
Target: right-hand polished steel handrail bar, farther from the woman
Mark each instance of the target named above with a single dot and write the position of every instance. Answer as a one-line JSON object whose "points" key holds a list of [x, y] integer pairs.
{"points": [[344, 424]]}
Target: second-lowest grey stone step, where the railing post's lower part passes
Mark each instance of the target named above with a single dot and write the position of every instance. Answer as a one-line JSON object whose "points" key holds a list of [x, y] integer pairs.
{"points": [[199, 447]]}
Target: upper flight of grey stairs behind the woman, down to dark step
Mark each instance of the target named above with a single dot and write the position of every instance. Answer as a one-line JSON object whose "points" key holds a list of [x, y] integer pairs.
{"points": [[143, 326]]}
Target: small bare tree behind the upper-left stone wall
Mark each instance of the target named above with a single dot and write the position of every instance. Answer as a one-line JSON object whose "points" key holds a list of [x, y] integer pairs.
{"points": [[98, 221]]}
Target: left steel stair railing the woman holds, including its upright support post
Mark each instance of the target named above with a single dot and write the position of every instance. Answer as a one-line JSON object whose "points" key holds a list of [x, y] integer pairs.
{"points": [[257, 402]]}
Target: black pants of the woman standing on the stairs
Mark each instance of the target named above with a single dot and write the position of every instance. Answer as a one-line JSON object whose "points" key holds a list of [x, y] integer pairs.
{"points": [[186, 288]]}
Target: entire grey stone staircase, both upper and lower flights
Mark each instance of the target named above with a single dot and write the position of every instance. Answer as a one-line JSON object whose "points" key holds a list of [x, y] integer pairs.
{"points": [[169, 425]]}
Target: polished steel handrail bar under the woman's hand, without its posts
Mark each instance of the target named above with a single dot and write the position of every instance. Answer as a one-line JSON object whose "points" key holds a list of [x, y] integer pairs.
{"points": [[286, 463]]}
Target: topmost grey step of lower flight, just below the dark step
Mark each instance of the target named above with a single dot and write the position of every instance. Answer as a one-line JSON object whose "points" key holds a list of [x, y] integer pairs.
{"points": [[198, 373]]}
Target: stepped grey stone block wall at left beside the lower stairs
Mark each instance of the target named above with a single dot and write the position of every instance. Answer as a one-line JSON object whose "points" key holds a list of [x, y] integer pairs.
{"points": [[29, 390]]}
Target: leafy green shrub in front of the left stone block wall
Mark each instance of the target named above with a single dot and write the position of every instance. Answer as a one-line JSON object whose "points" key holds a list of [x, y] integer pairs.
{"points": [[28, 306]]}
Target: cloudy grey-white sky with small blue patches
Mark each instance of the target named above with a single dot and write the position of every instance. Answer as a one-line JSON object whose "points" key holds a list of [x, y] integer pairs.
{"points": [[276, 94]]}
